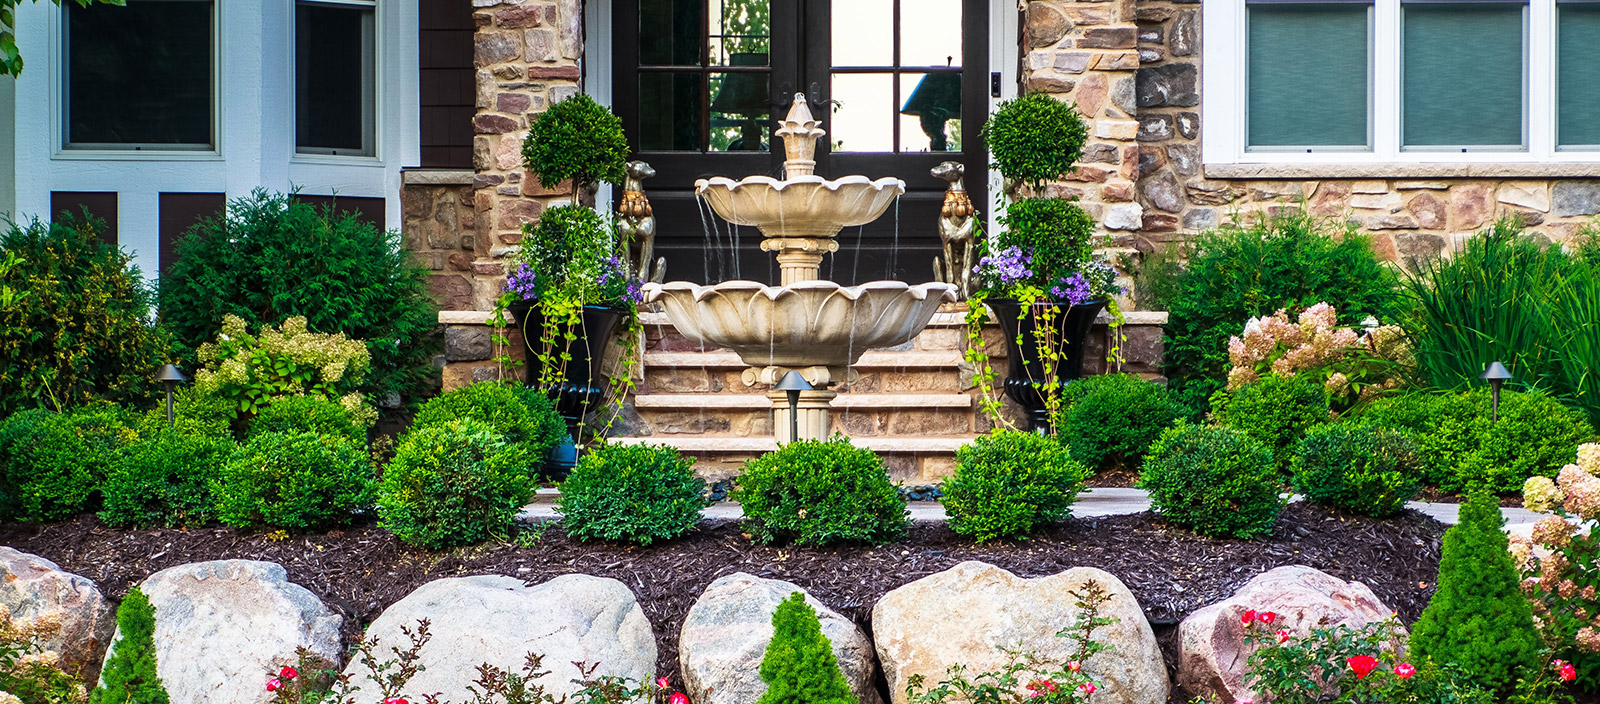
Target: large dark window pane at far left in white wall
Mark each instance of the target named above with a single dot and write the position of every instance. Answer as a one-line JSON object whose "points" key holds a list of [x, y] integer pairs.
{"points": [[140, 74]]}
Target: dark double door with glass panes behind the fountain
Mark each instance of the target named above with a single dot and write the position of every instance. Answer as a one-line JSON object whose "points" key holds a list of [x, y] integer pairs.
{"points": [[900, 86]]}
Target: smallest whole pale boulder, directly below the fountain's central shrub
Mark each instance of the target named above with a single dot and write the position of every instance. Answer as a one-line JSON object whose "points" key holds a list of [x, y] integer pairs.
{"points": [[729, 628]]}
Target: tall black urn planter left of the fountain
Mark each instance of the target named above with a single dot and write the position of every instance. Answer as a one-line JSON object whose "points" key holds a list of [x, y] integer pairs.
{"points": [[586, 382]]}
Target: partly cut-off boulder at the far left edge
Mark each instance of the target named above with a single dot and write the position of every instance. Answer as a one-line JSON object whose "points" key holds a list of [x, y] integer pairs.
{"points": [[34, 588]]}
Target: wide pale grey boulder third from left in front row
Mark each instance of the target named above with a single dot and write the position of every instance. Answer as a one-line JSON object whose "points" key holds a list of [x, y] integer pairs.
{"points": [[498, 620]]}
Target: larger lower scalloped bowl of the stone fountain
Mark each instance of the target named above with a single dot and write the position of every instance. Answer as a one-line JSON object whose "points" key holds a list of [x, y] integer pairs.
{"points": [[807, 324]]}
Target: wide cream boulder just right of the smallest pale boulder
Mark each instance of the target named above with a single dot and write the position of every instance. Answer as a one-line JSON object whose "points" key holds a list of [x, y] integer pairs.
{"points": [[967, 614]]}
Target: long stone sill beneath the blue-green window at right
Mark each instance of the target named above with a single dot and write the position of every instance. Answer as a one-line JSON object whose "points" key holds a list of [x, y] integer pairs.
{"points": [[1401, 170]]}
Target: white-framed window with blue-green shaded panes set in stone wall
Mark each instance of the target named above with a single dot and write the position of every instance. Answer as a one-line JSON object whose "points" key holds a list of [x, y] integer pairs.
{"points": [[1401, 81]]}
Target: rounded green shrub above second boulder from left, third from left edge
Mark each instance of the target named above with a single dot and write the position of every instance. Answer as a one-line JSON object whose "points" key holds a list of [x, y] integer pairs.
{"points": [[295, 482]]}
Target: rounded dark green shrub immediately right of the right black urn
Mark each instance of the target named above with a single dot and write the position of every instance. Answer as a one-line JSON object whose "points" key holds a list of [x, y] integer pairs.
{"points": [[1111, 420]]}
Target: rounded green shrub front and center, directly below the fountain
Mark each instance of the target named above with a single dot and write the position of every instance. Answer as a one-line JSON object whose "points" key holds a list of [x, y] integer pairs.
{"points": [[820, 494]]}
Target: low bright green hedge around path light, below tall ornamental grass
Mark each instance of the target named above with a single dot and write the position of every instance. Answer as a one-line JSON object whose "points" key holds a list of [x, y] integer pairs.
{"points": [[1462, 449]]}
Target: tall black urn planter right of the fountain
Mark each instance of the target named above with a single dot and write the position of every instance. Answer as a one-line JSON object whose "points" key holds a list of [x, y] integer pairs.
{"points": [[1025, 366]]}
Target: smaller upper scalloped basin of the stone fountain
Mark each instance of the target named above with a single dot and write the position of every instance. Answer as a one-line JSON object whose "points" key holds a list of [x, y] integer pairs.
{"points": [[799, 207]]}
